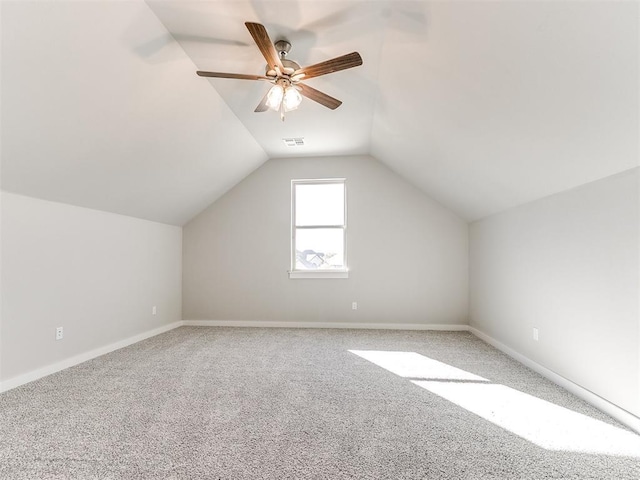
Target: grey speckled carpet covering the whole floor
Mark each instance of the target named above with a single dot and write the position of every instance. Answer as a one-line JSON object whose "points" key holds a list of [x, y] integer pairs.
{"points": [[251, 403]]}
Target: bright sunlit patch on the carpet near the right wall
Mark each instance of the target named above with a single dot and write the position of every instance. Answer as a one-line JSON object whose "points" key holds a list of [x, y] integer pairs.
{"points": [[543, 423]]}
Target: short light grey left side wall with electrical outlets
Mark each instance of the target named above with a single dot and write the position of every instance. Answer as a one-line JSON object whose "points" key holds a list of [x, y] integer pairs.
{"points": [[94, 273]]}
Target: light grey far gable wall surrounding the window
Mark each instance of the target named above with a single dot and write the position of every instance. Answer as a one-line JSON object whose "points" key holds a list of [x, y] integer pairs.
{"points": [[408, 256]]}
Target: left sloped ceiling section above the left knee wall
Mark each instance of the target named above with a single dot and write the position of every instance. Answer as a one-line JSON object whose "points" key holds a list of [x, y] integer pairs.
{"points": [[88, 119]]}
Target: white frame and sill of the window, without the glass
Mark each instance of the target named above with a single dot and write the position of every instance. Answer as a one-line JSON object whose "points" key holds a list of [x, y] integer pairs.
{"points": [[333, 273]]}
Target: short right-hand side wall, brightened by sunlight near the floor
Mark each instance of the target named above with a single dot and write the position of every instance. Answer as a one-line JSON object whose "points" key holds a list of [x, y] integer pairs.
{"points": [[569, 265]]}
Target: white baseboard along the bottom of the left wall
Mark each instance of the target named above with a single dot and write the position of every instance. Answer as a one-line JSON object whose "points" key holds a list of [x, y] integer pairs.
{"points": [[83, 357]]}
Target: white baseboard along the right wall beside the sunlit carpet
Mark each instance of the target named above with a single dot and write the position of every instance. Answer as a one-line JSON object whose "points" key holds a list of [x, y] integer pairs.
{"points": [[623, 416]]}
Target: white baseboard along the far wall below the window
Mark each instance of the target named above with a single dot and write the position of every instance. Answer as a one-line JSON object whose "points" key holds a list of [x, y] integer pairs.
{"points": [[353, 325]]}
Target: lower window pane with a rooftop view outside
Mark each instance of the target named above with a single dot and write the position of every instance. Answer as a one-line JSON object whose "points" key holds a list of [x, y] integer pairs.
{"points": [[319, 248]]}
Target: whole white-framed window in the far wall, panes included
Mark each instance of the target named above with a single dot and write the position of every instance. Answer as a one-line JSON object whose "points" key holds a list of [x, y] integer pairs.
{"points": [[318, 229]]}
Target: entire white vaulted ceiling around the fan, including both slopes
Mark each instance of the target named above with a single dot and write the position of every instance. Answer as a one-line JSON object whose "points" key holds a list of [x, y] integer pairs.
{"points": [[484, 105]]}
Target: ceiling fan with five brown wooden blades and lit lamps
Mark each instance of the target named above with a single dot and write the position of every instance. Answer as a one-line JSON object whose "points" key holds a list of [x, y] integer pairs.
{"points": [[286, 75]]}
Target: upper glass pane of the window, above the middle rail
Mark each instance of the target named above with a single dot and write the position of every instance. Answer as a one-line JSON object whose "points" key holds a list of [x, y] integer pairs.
{"points": [[320, 204]]}
